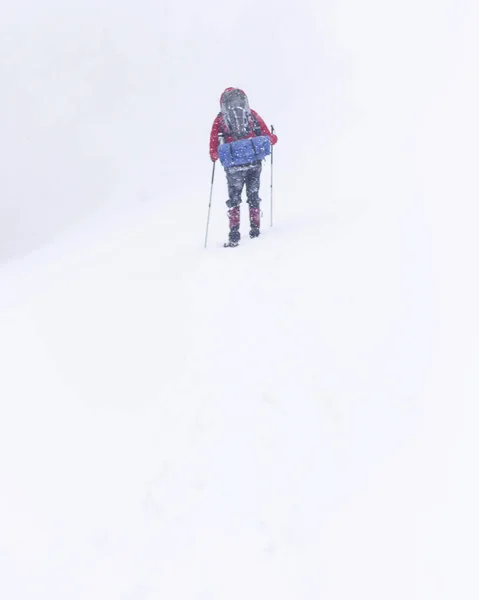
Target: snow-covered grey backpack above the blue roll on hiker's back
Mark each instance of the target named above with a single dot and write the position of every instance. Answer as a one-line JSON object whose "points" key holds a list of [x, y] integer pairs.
{"points": [[237, 119]]}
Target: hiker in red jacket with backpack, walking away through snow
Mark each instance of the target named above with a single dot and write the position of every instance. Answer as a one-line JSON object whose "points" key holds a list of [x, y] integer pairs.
{"points": [[247, 141]]}
